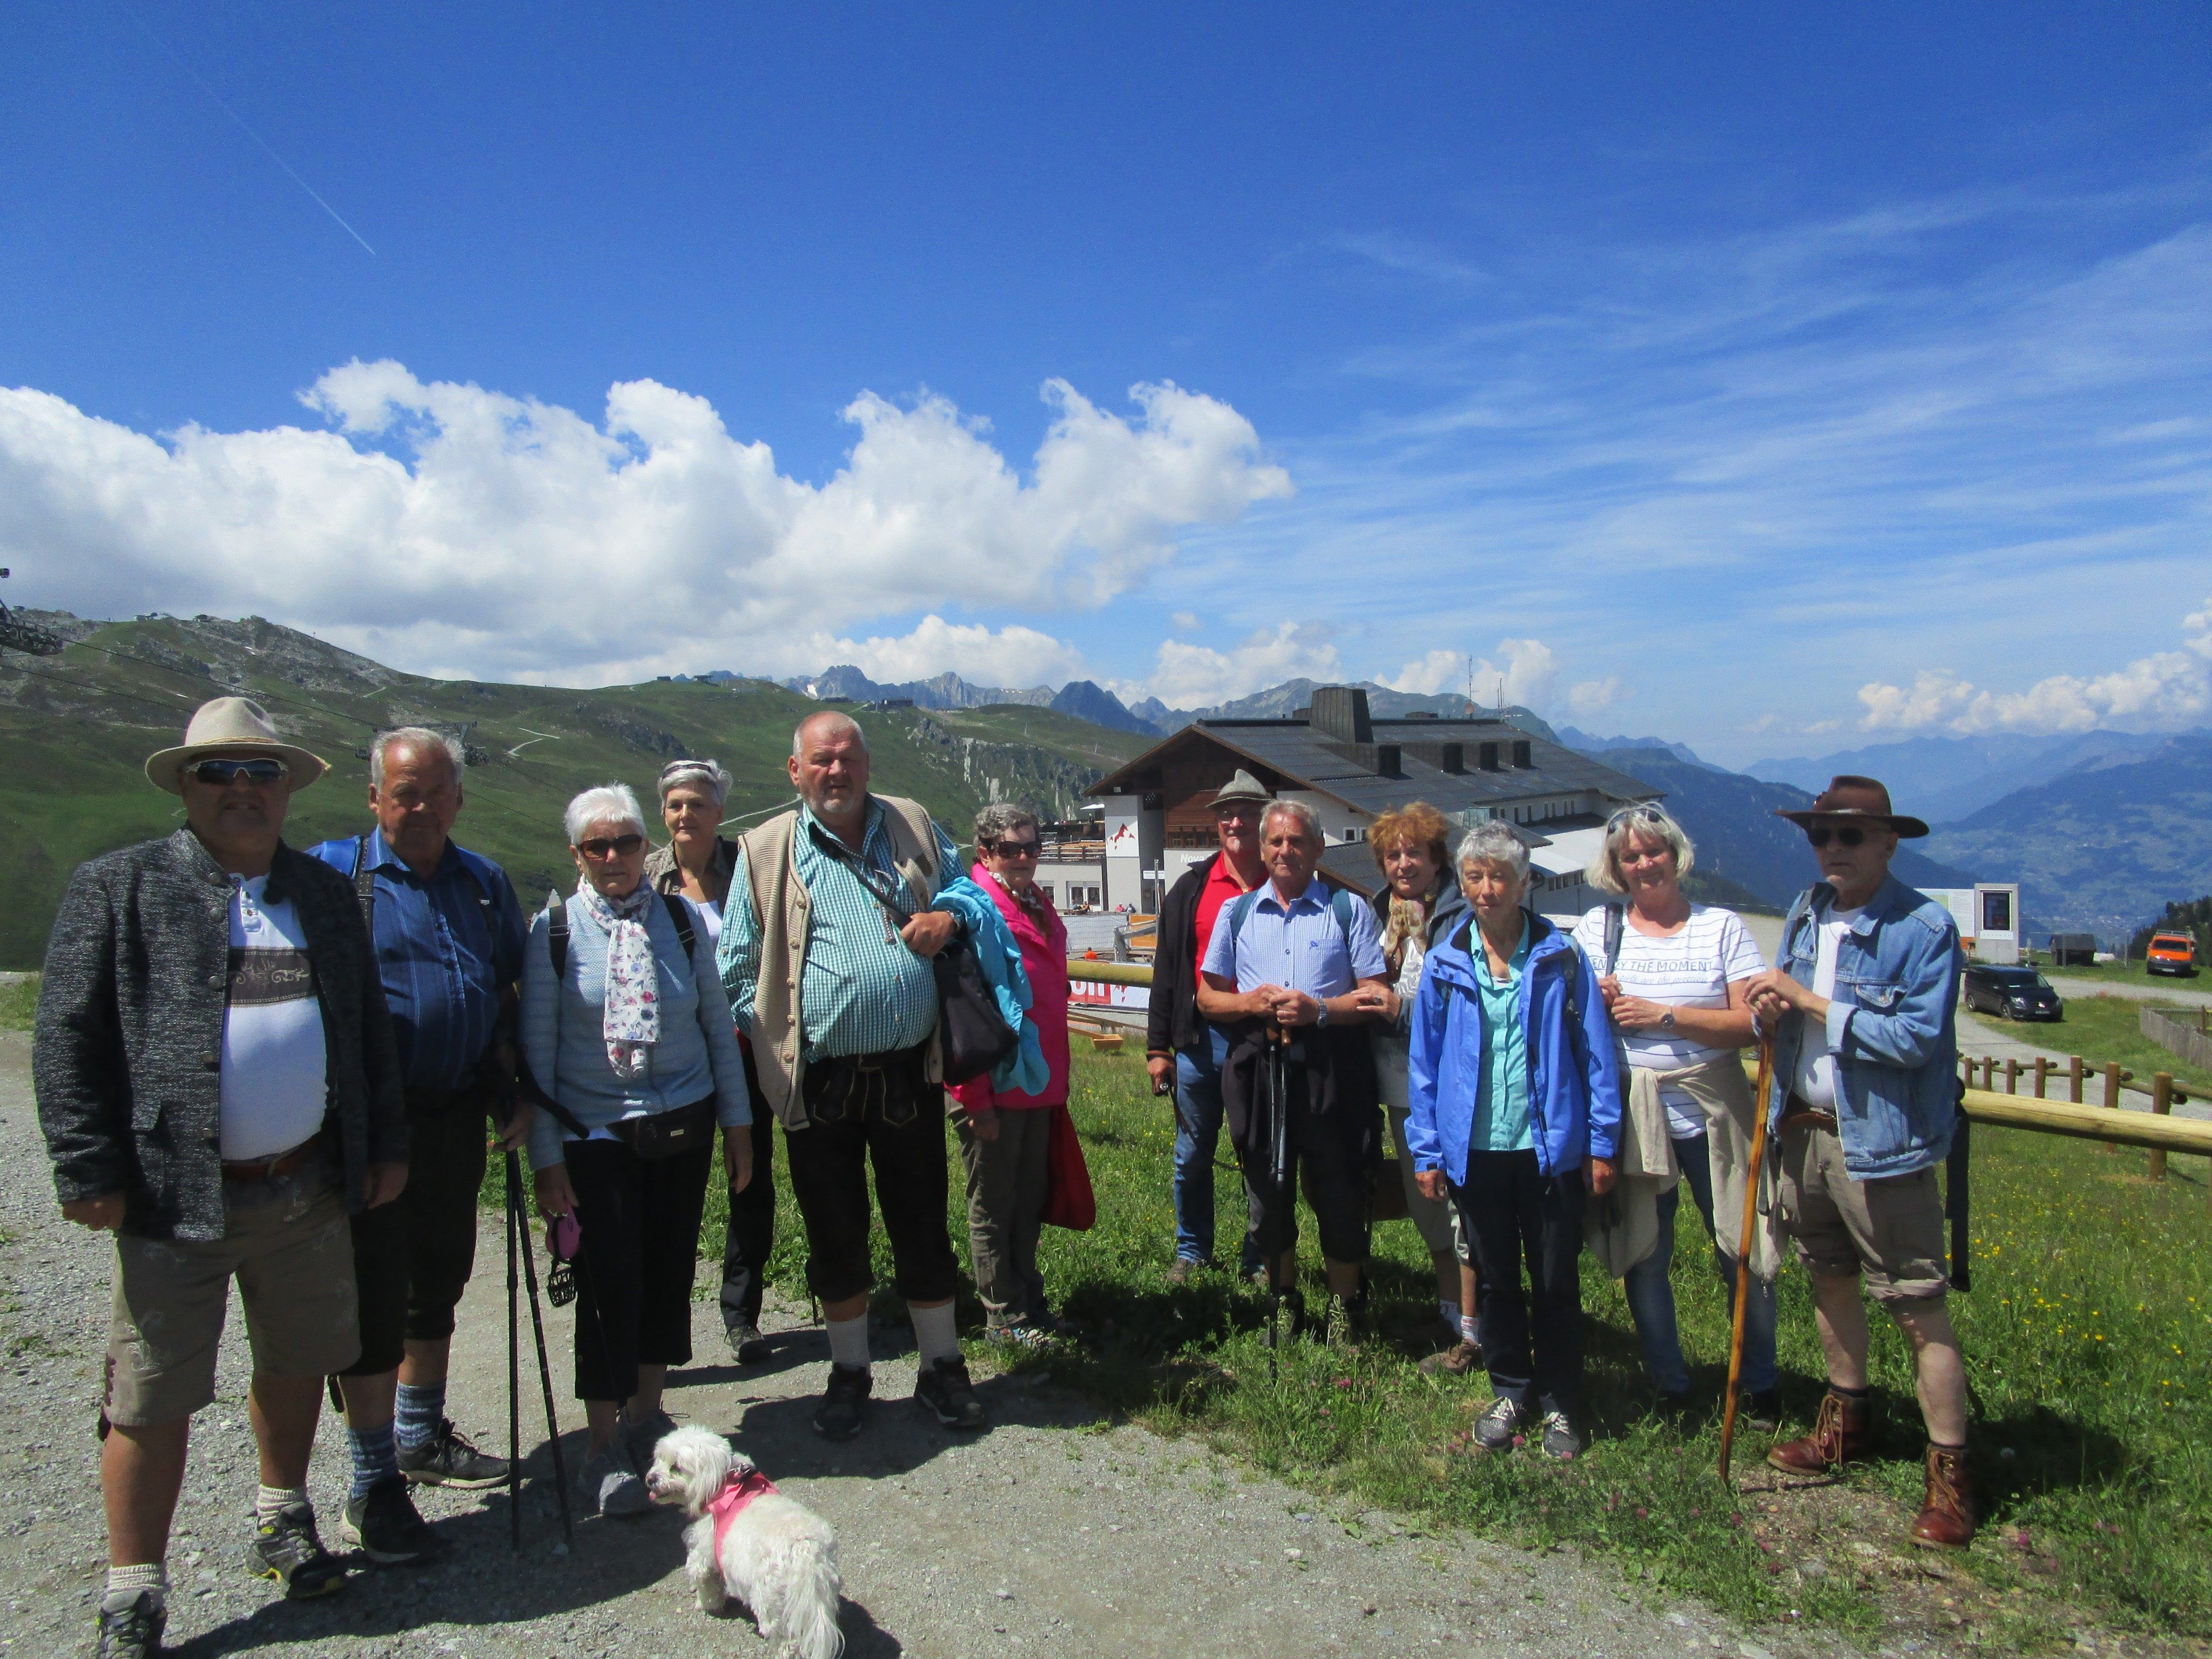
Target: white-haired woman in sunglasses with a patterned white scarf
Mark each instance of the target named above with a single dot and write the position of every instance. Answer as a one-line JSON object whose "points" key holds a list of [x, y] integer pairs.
{"points": [[632, 1041]]}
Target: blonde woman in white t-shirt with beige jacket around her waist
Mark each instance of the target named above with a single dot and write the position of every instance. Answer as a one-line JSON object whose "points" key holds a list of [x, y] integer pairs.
{"points": [[1676, 979]]}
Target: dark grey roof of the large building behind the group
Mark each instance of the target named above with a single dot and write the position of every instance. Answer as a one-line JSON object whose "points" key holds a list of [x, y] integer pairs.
{"points": [[1348, 771]]}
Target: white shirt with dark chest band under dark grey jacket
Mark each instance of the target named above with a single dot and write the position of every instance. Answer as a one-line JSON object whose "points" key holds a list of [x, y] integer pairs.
{"points": [[275, 1065]]}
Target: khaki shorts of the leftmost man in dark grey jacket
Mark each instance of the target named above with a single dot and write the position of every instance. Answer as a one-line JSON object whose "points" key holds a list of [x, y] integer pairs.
{"points": [[293, 1255]]}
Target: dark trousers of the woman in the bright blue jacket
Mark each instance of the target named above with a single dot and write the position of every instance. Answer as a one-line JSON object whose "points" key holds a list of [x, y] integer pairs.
{"points": [[1514, 1215]]}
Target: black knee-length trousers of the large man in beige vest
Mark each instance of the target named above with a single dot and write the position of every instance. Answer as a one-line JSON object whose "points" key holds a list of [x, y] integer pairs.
{"points": [[875, 1112]]}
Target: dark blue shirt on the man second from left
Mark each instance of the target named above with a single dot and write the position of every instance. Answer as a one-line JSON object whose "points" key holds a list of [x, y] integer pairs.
{"points": [[446, 950]]}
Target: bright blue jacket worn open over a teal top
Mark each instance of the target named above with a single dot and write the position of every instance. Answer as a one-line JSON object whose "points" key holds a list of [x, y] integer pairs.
{"points": [[1574, 1067]]}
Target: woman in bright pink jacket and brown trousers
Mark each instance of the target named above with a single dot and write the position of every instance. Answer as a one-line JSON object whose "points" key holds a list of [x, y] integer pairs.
{"points": [[1005, 1138]]}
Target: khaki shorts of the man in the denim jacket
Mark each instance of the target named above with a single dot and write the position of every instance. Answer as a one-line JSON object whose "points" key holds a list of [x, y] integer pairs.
{"points": [[1888, 1231]]}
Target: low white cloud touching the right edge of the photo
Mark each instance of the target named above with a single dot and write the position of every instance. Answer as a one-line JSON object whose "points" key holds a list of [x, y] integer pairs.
{"points": [[2151, 691]]}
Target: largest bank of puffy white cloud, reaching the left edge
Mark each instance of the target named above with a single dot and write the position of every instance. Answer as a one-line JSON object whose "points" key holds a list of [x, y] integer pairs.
{"points": [[466, 530]]}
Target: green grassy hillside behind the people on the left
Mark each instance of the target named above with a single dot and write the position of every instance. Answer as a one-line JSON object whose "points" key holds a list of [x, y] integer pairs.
{"points": [[76, 733]]}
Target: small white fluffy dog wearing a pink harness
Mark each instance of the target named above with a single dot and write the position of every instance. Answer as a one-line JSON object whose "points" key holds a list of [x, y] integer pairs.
{"points": [[753, 1543]]}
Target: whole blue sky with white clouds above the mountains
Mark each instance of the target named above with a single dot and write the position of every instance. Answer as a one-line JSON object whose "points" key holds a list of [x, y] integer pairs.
{"points": [[1755, 379]]}
